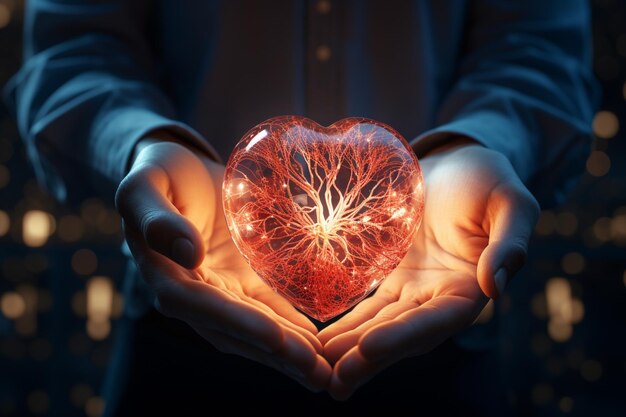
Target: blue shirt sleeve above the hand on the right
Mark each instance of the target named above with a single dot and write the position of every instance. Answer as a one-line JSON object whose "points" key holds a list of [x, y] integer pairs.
{"points": [[524, 88]]}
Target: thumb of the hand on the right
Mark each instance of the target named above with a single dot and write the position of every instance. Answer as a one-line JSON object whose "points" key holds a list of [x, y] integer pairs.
{"points": [[511, 215]]}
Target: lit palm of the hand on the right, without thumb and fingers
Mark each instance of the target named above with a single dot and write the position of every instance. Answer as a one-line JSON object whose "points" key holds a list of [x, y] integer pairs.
{"points": [[439, 271]]}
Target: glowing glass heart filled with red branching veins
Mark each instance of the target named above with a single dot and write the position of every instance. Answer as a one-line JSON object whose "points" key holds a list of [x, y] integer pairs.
{"points": [[323, 215]]}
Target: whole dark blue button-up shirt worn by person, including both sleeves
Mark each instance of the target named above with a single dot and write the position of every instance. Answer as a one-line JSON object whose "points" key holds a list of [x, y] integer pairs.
{"points": [[99, 75]]}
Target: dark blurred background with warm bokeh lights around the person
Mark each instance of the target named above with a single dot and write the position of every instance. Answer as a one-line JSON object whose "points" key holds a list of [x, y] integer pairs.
{"points": [[563, 323]]}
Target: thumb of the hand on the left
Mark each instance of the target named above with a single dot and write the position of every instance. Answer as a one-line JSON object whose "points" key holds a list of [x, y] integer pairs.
{"points": [[141, 201]]}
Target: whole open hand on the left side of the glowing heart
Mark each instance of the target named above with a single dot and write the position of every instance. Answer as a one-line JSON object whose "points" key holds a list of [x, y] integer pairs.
{"points": [[171, 207]]}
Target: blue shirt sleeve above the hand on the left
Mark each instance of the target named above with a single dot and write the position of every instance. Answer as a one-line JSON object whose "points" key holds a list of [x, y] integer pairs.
{"points": [[86, 93]]}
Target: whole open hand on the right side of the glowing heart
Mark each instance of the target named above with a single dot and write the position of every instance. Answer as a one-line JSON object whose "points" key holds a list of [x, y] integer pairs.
{"points": [[478, 218]]}
